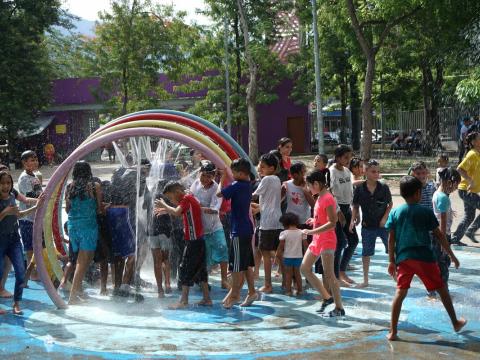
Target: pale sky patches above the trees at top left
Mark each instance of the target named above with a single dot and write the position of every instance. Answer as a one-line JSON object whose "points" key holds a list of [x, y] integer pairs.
{"points": [[88, 9]]}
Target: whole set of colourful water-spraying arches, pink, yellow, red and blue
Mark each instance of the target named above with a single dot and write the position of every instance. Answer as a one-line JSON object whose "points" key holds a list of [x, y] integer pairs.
{"points": [[178, 126]]}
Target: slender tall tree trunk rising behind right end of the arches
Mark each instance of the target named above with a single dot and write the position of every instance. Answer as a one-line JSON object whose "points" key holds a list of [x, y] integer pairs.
{"points": [[251, 88]]}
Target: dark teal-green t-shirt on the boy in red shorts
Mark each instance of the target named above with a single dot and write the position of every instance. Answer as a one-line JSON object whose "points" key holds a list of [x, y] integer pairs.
{"points": [[412, 225]]}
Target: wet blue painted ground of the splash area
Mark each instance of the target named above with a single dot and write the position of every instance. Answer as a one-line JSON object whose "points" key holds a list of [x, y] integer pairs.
{"points": [[276, 326]]}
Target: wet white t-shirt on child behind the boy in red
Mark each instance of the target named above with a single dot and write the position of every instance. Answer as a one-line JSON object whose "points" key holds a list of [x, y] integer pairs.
{"points": [[208, 198]]}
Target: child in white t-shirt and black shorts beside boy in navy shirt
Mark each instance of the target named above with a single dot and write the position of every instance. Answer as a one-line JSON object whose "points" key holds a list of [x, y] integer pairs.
{"points": [[269, 192]]}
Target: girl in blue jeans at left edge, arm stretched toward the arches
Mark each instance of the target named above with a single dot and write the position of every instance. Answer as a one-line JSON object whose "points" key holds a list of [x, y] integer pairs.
{"points": [[10, 245]]}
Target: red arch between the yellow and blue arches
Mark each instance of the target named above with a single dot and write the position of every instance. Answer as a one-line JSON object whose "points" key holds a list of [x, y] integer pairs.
{"points": [[224, 145]]}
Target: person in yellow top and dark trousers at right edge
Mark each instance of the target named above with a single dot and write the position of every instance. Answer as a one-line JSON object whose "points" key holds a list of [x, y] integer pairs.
{"points": [[468, 189]]}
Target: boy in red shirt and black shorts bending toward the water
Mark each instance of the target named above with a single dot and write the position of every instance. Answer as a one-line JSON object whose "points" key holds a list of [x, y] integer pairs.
{"points": [[192, 267]]}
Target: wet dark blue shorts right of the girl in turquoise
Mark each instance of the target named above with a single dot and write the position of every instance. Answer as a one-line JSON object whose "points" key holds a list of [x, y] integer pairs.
{"points": [[123, 235]]}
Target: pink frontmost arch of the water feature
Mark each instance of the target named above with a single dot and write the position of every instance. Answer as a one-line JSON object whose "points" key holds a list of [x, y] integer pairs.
{"points": [[62, 171]]}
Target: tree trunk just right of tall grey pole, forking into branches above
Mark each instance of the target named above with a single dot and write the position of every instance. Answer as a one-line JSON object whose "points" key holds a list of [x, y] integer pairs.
{"points": [[366, 142]]}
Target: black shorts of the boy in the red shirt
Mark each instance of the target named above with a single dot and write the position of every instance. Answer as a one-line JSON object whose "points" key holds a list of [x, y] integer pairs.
{"points": [[193, 268]]}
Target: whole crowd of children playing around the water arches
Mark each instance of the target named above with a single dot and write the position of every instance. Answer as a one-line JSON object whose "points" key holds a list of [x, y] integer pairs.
{"points": [[296, 224]]}
